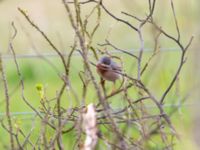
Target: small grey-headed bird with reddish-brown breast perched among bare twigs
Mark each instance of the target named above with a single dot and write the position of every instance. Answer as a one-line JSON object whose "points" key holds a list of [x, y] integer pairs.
{"points": [[108, 69]]}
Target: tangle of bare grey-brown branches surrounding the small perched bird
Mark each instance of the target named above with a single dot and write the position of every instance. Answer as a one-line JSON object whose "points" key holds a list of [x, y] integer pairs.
{"points": [[99, 125]]}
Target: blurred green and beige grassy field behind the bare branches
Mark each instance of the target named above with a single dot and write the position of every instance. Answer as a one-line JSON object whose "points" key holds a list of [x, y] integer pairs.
{"points": [[51, 17]]}
